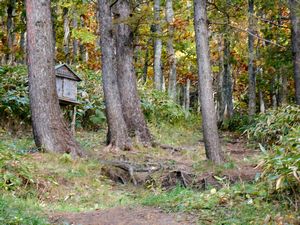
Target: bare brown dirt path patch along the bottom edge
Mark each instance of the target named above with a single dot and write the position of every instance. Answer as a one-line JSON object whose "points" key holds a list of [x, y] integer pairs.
{"points": [[122, 216]]}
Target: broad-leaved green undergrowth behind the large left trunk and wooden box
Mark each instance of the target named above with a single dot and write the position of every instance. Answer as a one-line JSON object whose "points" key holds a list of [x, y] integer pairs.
{"points": [[14, 101]]}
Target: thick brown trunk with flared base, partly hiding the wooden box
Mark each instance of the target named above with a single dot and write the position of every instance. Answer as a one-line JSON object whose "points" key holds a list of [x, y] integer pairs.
{"points": [[49, 128]]}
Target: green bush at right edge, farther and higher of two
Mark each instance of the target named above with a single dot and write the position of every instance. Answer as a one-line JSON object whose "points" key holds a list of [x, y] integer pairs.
{"points": [[270, 128]]}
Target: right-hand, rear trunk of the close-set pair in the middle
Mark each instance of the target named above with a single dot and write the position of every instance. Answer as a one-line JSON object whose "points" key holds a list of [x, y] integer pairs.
{"points": [[131, 104]]}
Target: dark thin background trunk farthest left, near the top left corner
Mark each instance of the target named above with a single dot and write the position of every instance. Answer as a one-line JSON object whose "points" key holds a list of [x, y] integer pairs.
{"points": [[10, 31]]}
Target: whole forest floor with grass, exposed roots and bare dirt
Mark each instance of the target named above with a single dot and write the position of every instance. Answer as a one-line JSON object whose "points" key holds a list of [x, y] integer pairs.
{"points": [[134, 187]]}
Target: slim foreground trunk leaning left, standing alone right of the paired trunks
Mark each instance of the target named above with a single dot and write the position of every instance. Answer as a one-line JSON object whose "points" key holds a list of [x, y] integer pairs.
{"points": [[209, 120]]}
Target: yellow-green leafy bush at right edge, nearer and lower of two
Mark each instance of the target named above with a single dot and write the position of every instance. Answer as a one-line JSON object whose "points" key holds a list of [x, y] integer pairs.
{"points": [[282, 165]]}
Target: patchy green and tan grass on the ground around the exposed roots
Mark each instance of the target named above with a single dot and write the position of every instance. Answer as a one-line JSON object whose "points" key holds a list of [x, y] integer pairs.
{"points": [[63, 184]]}
